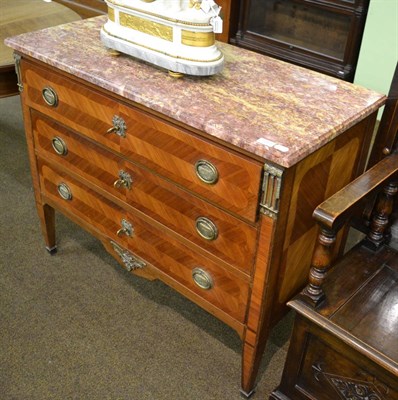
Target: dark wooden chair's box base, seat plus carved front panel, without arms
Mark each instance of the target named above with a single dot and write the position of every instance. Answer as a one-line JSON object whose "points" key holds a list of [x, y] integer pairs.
{"points": [[347, 347]]}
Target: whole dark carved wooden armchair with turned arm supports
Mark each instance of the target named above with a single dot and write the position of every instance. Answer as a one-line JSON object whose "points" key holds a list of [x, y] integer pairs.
{"points": [[344, 343]]}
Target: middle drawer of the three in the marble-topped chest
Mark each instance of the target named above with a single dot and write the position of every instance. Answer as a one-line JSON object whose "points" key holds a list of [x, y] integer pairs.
{"points": [[203, 224]]}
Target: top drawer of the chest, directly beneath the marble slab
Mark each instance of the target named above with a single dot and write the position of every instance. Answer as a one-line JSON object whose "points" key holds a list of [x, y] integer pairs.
{"points": [[221, 176]]}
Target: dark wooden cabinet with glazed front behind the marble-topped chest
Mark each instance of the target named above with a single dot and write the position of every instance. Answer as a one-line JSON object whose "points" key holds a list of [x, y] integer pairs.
{"points": [[321, 35]]}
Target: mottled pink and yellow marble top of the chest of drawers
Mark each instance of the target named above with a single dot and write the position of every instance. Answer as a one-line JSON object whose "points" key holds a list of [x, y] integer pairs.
{"points": [[275, 110]]}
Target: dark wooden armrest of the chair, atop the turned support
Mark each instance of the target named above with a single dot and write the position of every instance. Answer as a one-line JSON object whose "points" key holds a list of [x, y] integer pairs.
{"points": [[335, 211]]}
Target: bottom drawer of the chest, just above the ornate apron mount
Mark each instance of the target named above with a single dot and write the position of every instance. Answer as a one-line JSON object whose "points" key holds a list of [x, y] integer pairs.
{"points": [[226, 290]]}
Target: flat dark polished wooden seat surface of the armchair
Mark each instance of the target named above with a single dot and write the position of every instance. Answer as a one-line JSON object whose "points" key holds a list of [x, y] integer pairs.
{"points": [[361, 304]]}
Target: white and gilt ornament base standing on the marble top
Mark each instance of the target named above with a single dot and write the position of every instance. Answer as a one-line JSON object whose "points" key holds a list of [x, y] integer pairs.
{"points": [[178, 35]]}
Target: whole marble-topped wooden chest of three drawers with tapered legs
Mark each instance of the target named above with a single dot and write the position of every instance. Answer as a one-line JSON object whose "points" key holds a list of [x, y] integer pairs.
{"points": [[212, 197]]}
